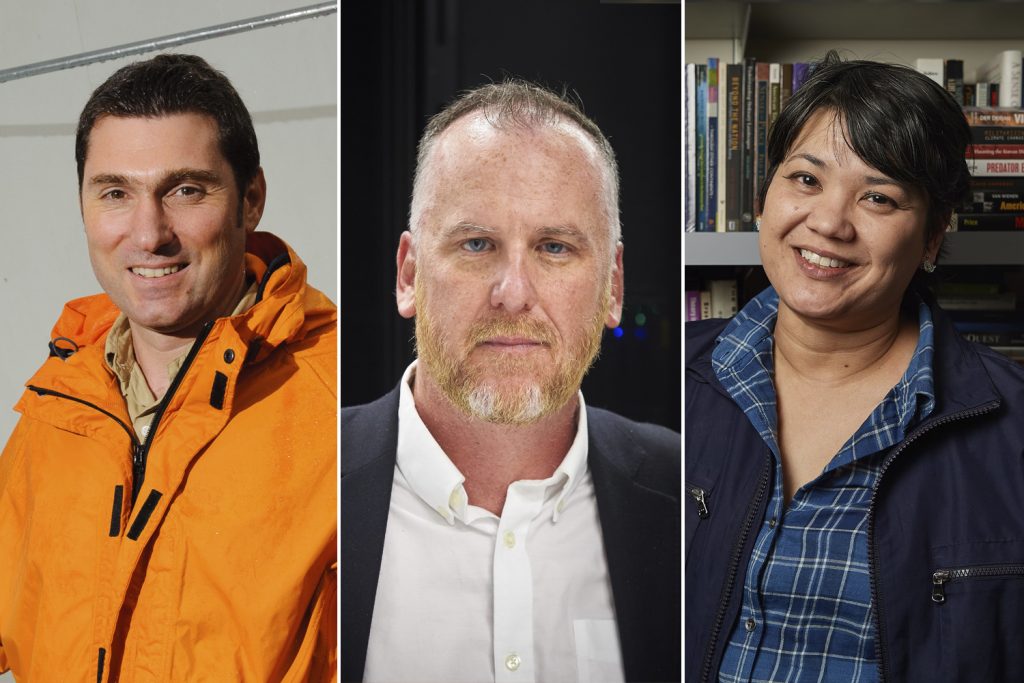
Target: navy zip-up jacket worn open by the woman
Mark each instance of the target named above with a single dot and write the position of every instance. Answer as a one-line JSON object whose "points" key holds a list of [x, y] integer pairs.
{"points": [[946, 528]]}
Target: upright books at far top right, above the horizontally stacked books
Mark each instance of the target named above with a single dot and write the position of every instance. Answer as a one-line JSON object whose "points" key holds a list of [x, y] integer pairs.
{"points": [[998, 82]]}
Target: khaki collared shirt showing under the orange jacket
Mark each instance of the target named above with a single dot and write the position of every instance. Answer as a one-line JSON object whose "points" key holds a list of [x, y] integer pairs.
{"points": [[120, 356]]}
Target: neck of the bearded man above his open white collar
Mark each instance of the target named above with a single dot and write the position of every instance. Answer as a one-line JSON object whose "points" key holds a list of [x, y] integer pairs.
{"points": [[490, 456]]}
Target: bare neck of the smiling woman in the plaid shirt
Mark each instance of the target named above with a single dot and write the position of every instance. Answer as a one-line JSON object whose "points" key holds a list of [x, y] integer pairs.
{"points": [[827, 354]]}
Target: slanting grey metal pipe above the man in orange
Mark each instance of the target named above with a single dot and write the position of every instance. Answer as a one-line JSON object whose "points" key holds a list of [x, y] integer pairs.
{"points": [[175, 40]]}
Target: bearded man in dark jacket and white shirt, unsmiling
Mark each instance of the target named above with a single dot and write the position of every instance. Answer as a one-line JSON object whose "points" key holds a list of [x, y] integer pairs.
{"points": [[494, 528]]}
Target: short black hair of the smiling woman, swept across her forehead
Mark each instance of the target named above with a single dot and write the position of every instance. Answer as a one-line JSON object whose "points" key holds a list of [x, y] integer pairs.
{"points": [[895, 119]]}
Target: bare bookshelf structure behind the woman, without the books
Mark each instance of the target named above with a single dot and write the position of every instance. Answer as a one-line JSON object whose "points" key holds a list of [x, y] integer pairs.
{"points": [[898, 32]]}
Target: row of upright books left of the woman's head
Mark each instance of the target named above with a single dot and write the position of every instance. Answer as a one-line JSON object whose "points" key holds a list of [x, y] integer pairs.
{"points": [[730, 109]]}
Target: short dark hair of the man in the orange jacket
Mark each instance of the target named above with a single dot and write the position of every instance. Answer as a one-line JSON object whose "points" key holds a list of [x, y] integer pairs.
{"points": [[176, 84]]}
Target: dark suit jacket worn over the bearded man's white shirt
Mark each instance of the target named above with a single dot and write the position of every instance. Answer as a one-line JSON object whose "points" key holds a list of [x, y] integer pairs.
{"points": [[636, 473]]}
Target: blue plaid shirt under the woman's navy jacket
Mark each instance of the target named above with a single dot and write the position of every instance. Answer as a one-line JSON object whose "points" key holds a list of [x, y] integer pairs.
{"points": [[807, 612]]}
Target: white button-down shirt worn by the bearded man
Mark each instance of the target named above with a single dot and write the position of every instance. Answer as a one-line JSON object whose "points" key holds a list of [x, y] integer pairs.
{"points": [[466, 596]]}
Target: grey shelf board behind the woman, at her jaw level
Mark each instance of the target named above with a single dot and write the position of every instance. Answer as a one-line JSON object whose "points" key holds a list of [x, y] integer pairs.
{"points": [[962, 249]]}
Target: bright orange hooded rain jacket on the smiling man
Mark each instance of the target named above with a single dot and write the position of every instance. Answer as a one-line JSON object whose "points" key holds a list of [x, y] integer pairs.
{"points": [[208, 554]]}
